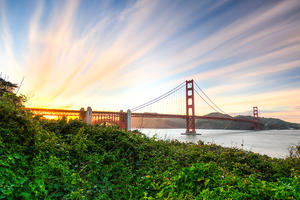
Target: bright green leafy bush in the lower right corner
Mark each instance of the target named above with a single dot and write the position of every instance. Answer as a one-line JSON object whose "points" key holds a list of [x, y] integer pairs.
{"points": [[208, 181]]}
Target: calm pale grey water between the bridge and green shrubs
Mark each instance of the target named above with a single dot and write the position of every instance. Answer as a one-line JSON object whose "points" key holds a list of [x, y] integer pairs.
{"points": [[274, 143]]}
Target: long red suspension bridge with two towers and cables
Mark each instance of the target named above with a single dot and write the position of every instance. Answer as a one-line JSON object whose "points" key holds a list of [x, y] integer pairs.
{"points": [[123, 119]]}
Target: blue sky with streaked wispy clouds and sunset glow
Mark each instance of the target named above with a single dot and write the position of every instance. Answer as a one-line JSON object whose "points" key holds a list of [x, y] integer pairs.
{"points": [[114, 55]]}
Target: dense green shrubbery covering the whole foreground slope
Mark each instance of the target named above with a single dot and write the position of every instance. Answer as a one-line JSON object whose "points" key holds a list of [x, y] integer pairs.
{"points": [[42, 159]]}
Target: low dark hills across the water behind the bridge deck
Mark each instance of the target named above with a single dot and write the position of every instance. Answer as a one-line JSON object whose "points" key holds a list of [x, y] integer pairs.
{"points": [[269, 123]]}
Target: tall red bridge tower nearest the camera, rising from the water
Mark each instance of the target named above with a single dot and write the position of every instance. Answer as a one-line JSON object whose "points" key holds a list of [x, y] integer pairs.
{"points": [[190, 107]]}
